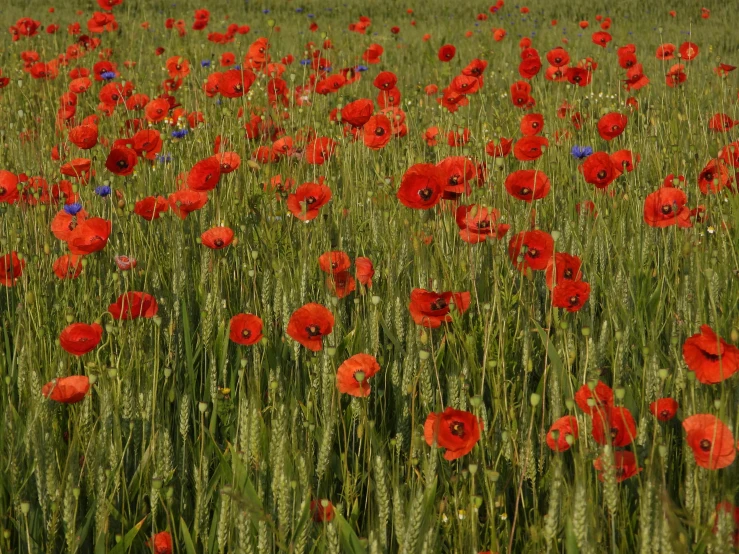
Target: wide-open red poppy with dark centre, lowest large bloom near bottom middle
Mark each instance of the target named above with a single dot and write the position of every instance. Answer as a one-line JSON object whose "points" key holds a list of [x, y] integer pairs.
{"points": [[455, 430]]}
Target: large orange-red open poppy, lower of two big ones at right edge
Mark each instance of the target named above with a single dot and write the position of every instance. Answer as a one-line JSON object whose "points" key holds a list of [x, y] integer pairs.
{"points": [[711, 440]]}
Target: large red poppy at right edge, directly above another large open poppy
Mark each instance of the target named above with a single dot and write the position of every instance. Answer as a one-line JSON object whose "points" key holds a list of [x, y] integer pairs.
{"points": [[710, 357]]}
